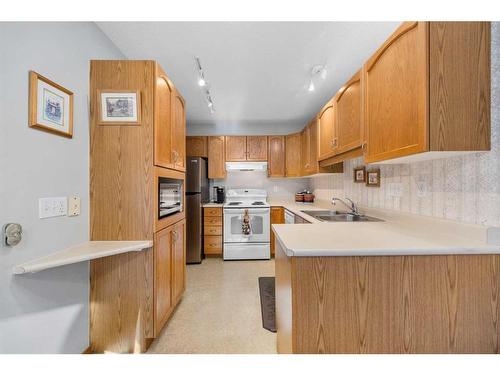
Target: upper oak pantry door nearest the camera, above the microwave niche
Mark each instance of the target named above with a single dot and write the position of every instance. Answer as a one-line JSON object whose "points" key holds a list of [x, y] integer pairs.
{"points": [[163, 121]]}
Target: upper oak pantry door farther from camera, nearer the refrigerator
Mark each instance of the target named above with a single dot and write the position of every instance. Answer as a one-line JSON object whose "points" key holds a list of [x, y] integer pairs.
{"points": [[178, 132]]}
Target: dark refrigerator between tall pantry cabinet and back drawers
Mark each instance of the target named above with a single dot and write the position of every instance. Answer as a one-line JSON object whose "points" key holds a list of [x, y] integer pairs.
{"points": [[197, 193]]}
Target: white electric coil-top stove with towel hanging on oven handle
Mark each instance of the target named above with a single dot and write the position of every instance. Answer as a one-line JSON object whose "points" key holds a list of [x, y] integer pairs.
{"points": [[247, 225]]}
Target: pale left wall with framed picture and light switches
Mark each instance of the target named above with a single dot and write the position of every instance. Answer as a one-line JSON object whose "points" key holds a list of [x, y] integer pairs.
{"points": [[45, 312]]}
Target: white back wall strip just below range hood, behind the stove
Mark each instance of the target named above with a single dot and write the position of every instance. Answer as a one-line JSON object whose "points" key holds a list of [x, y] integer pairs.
{"points": [[275, 187]]}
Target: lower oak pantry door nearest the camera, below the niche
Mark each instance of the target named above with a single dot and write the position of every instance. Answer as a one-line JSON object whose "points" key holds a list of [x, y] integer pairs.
{"points": [[162, 277]]}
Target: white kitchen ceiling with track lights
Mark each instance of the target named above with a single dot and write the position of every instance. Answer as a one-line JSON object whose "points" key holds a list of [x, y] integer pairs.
{"points": [[258, 71]]}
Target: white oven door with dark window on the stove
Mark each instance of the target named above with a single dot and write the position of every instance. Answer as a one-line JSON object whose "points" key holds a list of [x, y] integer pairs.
{"points": [[259, 225]]}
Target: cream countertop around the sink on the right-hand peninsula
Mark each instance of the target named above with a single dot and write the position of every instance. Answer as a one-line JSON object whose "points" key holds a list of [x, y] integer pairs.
{"points": [[398, 234]]}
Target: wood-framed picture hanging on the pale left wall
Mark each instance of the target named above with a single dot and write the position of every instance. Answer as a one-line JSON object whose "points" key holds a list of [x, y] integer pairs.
{"points": [[50, 106]]}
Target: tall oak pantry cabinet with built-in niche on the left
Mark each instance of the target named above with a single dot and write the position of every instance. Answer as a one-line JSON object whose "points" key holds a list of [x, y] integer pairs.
{"points": [[132, 295]]}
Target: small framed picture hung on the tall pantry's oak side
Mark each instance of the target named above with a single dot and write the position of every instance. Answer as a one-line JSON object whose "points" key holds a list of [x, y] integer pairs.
{"points": [[119, 107]]}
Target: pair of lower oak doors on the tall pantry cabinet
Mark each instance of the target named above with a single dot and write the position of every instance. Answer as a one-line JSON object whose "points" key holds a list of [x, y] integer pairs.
{"points": [[169, 271]]}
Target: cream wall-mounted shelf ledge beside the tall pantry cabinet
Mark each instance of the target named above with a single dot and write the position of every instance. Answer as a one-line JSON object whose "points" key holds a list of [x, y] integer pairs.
{"points": [[80, 253]]}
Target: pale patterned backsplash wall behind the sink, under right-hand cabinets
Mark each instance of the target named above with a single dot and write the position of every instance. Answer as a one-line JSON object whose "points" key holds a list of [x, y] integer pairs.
{"points": [[464, 188]]}
